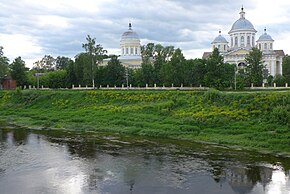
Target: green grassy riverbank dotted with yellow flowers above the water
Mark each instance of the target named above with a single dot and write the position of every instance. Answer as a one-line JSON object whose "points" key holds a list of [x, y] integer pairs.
{"points": [[256, 120]]}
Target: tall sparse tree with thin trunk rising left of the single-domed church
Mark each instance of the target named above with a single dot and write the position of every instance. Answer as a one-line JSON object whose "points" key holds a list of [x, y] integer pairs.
{"points": [[96, 54]]}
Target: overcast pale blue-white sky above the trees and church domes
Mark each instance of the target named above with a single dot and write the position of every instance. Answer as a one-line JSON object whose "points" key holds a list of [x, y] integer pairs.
{"points": [[34, 28]]}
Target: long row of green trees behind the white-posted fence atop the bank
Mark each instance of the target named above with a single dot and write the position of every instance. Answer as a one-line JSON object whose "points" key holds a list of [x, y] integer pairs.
{"points": [[161, 65]]}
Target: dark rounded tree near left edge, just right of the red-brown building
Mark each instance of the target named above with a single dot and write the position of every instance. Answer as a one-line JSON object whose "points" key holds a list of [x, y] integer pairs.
{"points": [[18, 71]]}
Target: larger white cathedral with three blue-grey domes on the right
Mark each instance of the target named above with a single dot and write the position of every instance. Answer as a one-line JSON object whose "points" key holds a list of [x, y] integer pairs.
{"points": [[242, 40]]}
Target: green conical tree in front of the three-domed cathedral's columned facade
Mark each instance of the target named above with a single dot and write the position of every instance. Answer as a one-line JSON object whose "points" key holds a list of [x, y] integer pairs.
{"points": [[254, 68]]}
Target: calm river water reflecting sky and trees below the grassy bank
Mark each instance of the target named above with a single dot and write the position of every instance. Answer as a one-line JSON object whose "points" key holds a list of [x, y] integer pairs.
{"points": [[75, 163]]}
